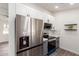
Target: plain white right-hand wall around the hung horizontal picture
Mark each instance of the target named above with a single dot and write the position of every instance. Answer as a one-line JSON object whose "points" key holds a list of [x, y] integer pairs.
{"points": [[69, 40]]}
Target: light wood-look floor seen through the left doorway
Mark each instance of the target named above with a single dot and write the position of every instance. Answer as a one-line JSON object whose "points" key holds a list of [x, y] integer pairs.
{"points": [[4, 49]]}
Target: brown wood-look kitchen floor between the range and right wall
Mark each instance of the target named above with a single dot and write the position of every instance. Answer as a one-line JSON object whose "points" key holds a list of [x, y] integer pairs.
{"points": [[62, 52]]}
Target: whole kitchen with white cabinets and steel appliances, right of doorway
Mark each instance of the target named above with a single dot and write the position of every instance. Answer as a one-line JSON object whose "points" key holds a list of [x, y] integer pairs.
{"points": [[37, 29]]}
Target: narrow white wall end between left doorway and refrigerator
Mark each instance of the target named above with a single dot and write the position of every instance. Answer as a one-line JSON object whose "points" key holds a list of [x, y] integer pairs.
{"points": [[12, 14]]}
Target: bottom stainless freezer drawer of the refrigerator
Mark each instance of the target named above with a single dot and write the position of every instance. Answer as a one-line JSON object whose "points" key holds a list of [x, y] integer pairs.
{"points": [[33, 51]]}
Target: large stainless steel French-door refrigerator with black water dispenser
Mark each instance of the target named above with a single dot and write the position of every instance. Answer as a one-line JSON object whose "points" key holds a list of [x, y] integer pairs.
{"points": [[29, 36]]}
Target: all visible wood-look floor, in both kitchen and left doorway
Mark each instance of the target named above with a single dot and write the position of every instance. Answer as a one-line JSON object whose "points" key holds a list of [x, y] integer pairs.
{"points": [[59, 52]]}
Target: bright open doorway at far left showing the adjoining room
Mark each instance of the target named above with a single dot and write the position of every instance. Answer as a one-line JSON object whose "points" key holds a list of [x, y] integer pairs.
{"points": [[4, 29]]}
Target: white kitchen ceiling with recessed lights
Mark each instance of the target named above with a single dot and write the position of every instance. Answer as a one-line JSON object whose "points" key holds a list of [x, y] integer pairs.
{"points": [[51, 6]]}
